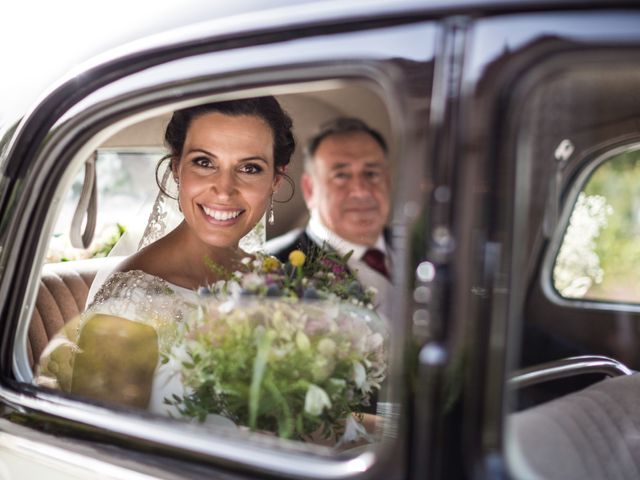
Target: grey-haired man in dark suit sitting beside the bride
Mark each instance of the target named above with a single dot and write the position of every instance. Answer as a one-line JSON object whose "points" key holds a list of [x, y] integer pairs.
{"points": [[346, 186]]}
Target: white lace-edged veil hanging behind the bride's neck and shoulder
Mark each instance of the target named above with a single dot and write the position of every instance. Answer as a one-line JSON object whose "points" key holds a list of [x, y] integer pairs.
{"points": [[164, 217]]}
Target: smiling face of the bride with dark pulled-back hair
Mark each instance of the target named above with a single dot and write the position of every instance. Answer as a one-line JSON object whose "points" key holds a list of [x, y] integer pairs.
{"points": [[226, 176]]}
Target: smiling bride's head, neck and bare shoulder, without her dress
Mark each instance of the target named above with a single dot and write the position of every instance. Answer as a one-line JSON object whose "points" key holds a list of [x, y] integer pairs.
{"points": [[227, 160]]}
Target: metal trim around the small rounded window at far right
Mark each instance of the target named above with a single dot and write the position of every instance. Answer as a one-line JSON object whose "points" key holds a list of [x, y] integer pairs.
{"points": [[546, 277]]}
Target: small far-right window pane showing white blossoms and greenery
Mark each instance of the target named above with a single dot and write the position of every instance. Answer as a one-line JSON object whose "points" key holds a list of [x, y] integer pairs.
{"points": [[598, 256]]}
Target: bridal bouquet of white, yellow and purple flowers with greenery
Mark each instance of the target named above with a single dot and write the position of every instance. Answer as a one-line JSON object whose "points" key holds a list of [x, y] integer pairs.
{"points": [[292, 349]]}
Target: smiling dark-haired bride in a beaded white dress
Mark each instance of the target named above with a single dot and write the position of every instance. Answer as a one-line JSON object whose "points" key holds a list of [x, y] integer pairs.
{"points": [[227, 160]]}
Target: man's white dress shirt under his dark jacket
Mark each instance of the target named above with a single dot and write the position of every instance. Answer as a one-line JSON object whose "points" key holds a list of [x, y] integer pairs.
{"points": [[367, 276]]}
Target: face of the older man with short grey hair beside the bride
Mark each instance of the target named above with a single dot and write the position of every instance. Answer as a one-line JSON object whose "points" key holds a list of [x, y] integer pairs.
{"points": [[349, 186]]}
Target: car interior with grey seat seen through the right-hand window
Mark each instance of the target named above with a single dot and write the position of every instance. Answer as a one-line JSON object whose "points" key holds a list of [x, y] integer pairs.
{"points": [[574, 386]]}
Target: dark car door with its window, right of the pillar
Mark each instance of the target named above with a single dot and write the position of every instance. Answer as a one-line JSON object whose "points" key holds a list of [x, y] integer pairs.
{"points": [[547, 98]]}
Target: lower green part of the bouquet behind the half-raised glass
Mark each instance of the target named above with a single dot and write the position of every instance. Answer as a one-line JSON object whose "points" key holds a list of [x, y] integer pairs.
{"points": [[258, 363]]}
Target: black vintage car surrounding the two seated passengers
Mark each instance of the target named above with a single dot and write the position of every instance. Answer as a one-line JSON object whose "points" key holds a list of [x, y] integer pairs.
{"points": [[514, 135]]}
